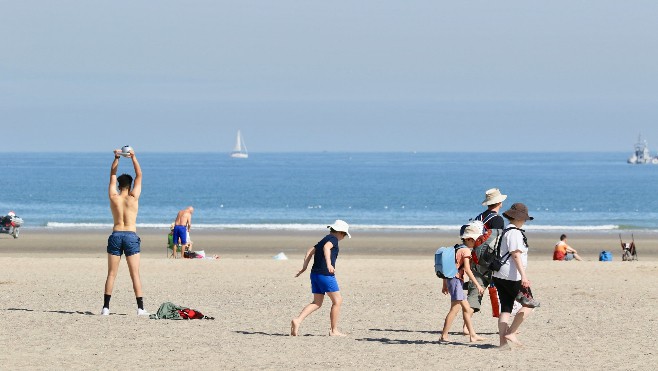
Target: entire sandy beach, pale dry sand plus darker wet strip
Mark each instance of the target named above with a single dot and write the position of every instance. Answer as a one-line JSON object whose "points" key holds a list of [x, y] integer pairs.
{"points": [[593, 315]]}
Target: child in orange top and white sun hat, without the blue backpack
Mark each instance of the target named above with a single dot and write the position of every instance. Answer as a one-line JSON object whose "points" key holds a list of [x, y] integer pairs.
{"points": [[455, 285]]}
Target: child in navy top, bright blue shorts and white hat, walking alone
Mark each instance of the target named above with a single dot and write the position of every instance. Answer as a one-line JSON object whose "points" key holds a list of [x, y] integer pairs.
{"points": [[323, 280]]}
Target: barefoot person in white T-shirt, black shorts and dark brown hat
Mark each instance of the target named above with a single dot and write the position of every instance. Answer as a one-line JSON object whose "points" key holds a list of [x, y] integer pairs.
{"points": [[511, 280]]}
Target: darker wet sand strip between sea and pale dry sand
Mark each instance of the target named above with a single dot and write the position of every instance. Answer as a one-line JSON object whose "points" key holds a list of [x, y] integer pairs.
{"points": [[267, 243]]}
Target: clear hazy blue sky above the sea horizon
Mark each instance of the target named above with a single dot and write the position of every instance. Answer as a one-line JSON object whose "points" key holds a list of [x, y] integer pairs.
{"points": [[345, 75]]}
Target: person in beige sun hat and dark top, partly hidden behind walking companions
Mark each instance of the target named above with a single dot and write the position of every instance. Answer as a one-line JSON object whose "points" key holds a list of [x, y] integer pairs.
{"points": [[493, 200]]}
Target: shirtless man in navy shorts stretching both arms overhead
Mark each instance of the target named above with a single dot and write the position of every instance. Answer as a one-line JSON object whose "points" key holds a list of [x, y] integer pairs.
{"points": [[124, 204]]}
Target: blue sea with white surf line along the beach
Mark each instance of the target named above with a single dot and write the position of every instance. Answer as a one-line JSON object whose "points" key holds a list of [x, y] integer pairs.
{"points": [[304, 191]]}
